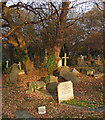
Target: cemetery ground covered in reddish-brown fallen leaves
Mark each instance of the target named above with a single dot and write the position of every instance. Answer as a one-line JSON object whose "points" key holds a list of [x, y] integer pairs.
{"points": [[87, 94]]}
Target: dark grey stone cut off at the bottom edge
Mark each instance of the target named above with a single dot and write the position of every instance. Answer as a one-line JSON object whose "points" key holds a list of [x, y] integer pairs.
{"points": [[23, 114]]}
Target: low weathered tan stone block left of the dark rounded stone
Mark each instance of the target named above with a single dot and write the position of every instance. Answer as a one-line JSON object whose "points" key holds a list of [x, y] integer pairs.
{"points": [[36, 85]]}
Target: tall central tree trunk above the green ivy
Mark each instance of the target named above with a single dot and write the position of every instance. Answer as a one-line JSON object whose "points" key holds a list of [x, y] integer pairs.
{"points": [[60, 29]]}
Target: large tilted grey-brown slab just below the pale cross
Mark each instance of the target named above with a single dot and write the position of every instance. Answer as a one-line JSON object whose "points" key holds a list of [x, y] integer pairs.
{"points": [[69, 76]]}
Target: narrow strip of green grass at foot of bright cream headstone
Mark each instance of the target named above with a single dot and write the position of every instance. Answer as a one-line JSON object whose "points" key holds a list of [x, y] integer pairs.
{"points": [[82, 103]]}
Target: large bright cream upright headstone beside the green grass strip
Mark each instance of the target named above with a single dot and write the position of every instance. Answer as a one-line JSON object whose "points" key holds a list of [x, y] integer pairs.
{"points": [[65, 91]]}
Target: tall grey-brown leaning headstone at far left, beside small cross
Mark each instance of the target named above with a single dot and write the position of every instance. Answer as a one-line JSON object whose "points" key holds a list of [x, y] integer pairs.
{"points": [[13, 74]]}
